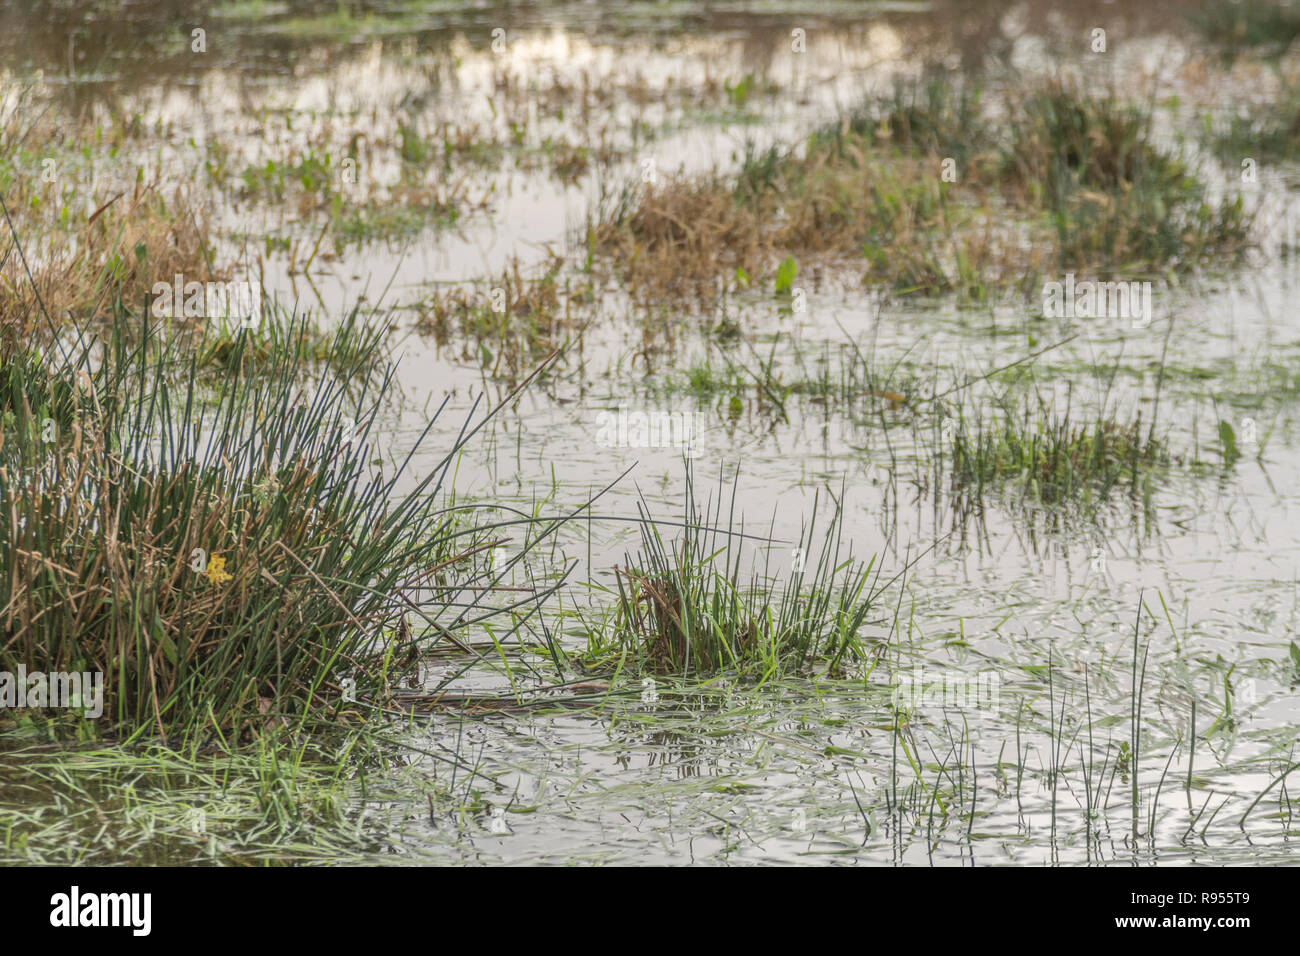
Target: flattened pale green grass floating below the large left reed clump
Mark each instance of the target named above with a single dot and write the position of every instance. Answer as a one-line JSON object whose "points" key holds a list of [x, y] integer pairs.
{"points": [[283, 799]]}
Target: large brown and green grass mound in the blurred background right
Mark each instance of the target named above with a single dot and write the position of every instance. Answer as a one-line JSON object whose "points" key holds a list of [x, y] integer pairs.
{"points": [[920, 188]]}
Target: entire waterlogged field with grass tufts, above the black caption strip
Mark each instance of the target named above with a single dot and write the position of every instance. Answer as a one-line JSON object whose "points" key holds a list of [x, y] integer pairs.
{"points": [[656, 434]]}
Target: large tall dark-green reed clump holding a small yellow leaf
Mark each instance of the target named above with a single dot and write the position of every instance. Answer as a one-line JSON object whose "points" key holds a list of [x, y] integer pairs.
{"points": [[223, 560]]}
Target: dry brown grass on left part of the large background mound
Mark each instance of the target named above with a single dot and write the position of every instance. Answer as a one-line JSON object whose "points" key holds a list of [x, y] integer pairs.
{"points": [[686, 237]]}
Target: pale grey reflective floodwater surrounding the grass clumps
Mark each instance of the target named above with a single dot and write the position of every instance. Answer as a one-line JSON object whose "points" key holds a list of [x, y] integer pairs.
{"points": [[1038, 616]]}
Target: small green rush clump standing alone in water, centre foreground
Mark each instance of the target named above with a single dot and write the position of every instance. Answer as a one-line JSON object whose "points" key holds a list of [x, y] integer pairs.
{"points": [[683, 609]]}
